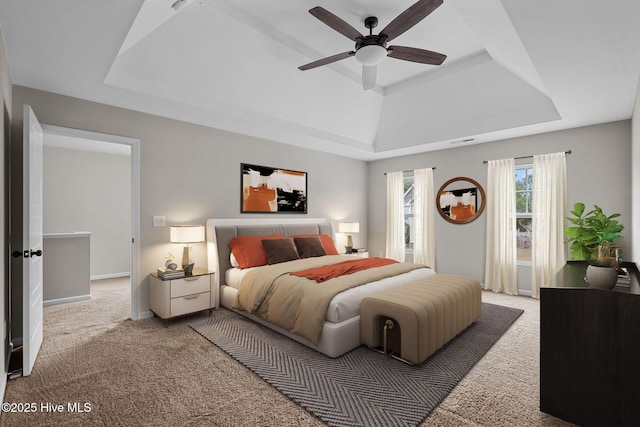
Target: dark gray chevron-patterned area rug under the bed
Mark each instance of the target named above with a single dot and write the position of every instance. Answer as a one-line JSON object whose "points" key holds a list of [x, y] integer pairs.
{"points": [[362, 387]]}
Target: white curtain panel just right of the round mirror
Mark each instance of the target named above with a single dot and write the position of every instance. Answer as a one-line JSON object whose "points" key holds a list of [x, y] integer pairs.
{"points": [[501, 254]]}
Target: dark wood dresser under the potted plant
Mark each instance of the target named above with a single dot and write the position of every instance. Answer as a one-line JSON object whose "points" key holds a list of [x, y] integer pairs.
{"points": [[590, 349]]}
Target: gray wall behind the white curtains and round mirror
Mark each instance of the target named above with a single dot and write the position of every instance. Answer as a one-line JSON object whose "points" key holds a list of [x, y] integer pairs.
{"points": [[599, 172]]}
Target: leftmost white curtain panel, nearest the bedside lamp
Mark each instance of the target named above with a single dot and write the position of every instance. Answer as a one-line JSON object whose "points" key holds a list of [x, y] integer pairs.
{"points": [[395, 216]]}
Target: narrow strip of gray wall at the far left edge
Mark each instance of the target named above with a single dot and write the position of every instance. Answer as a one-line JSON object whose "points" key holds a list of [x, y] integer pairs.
{"points": [[5, 126]]}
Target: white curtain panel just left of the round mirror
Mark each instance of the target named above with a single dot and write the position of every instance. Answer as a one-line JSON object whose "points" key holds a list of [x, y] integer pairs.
{"points": [[424, 218]]}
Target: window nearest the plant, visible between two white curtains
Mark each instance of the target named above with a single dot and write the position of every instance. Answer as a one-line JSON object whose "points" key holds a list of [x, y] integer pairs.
{"points": [[524, 194]]}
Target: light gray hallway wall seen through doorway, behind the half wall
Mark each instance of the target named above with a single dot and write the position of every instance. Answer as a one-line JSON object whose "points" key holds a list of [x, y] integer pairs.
{"points": [[91, 191]]}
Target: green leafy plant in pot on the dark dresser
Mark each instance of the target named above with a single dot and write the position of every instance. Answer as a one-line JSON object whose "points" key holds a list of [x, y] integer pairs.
{"points": [[593, 234]]}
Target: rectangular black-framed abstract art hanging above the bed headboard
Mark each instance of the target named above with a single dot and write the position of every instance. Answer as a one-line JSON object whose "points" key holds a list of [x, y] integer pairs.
{"points": [[265, 189]]}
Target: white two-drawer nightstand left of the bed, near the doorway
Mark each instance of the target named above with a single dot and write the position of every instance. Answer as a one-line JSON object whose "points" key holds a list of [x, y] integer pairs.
{"points": [[176, 297]]}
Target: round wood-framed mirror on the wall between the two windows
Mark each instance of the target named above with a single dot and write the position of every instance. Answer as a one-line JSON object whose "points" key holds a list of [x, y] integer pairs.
{"points": [[460, 200]]}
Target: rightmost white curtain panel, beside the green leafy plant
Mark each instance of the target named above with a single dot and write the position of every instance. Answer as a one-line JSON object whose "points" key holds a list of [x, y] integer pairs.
{"points": [[549, 203]]}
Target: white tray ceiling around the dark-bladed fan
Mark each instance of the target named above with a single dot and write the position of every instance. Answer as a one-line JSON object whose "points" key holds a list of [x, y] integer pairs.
{"points": [[514, 67]]}
